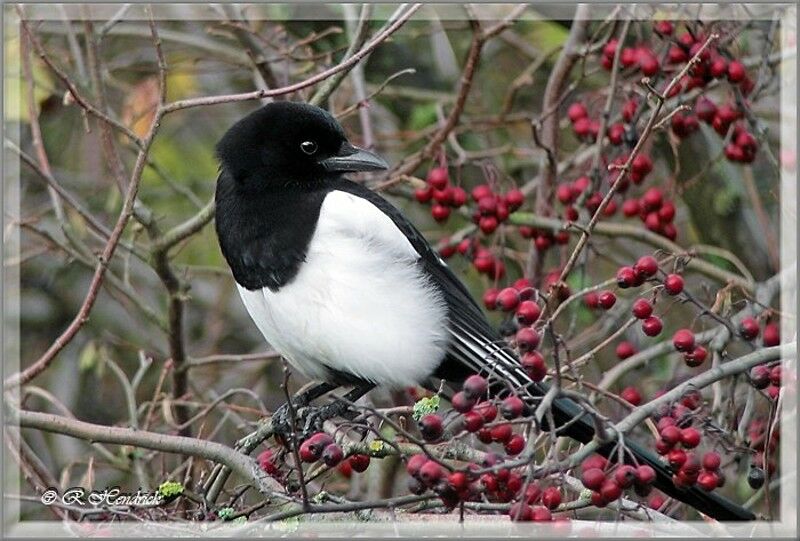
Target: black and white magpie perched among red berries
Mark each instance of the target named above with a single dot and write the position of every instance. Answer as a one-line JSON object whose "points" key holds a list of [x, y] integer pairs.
{"points": [[343, 286]]}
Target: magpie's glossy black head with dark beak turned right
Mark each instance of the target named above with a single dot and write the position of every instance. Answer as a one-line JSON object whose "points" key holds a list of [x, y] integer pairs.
{"points": [[285, 142]]}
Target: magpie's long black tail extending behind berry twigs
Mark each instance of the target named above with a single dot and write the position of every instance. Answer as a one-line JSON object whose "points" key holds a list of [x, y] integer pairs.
{"points": [[566, 411]]}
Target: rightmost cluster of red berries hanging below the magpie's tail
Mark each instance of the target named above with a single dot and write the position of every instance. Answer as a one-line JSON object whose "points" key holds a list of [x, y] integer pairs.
{"points": [[607, 484]]}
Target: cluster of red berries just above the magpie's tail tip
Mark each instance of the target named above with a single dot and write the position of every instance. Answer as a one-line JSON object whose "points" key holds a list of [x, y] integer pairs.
{"points": [[677, 446]]}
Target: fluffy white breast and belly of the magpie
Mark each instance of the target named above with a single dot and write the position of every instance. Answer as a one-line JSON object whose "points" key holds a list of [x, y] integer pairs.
{"points": [[359, 303]]}
